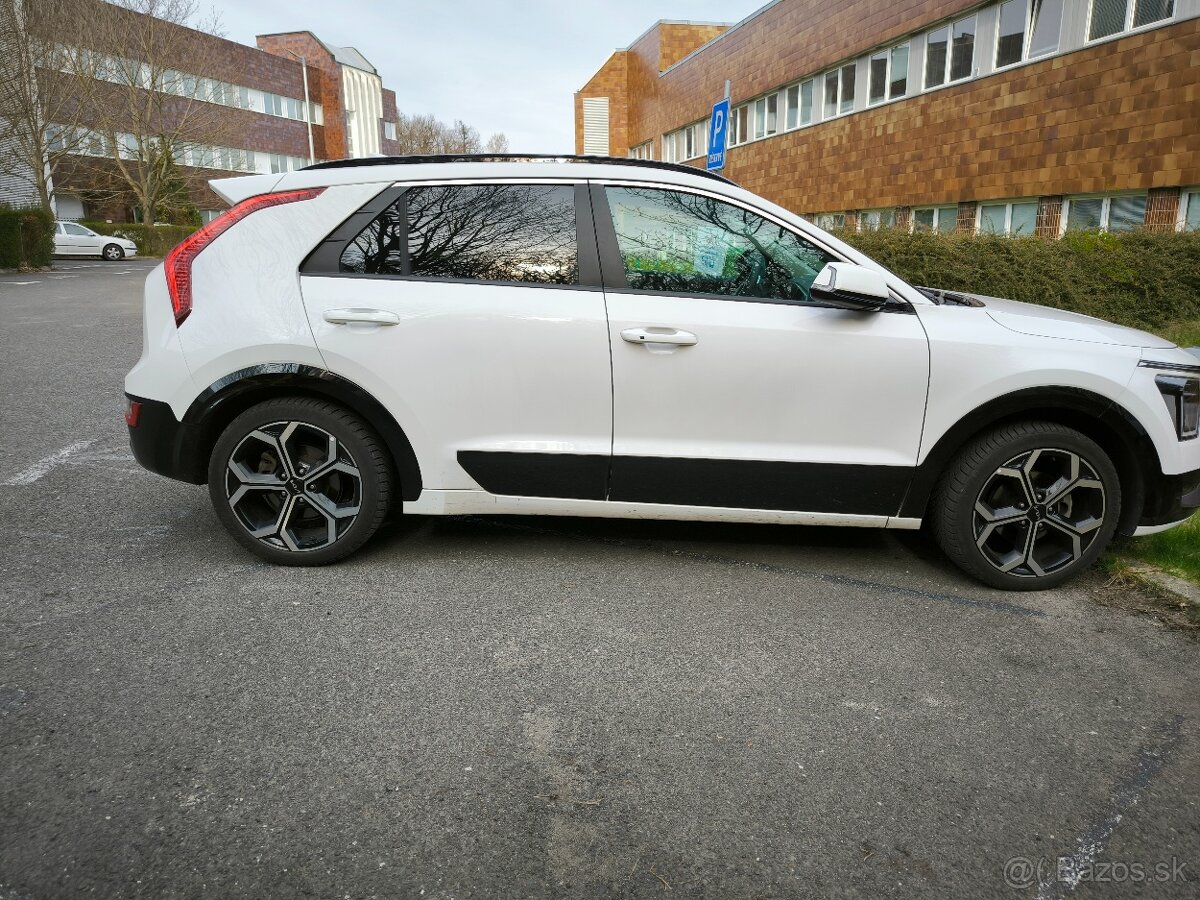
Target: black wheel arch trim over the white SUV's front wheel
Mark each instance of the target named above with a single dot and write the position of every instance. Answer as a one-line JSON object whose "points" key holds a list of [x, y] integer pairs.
{"points": [[1096, 416]]}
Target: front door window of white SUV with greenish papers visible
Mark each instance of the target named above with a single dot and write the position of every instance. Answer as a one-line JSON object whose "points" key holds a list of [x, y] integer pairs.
{"points": [[679, 243]]}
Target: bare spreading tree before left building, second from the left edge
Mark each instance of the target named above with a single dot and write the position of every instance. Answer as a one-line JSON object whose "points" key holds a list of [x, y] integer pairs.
{"points": [[154, 124]]}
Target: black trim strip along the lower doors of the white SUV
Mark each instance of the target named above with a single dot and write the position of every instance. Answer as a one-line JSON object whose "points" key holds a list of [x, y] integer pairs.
{"points": [[729, 484]]}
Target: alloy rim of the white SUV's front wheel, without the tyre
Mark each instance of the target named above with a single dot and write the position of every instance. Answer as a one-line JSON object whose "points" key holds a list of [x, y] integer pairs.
{"points": [[1039, 513]]}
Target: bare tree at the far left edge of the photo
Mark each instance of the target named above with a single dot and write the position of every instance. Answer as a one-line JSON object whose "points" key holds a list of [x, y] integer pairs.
{"points": [[40, 109]]}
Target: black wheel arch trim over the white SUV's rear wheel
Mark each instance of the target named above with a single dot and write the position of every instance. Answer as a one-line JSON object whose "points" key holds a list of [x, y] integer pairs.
{"points": [[229, 397]]}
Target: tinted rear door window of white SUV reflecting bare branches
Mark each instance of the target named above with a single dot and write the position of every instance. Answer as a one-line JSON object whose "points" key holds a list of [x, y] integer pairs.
{"points": [[507, 233]]}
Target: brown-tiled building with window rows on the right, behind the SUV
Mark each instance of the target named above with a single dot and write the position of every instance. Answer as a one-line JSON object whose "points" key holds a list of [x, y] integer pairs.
{"points": [[1016, 117]]}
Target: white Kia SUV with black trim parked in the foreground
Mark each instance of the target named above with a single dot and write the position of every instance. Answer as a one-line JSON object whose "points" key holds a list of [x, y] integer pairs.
{"points": [[627, 339]]}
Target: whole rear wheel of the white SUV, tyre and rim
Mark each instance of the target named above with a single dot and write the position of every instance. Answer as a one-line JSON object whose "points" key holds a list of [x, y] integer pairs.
{"points": [[301, 482]]}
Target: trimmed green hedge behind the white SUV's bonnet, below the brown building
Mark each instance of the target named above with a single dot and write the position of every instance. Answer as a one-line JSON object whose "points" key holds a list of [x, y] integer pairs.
{"points": [[1139, 279]]}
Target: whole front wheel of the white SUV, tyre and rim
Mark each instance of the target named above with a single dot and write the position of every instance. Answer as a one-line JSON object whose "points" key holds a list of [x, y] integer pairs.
{"points": [[1027, 507]]}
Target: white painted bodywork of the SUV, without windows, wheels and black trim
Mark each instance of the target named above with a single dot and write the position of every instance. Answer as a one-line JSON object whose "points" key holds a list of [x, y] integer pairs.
{"points": [[508, 368]]}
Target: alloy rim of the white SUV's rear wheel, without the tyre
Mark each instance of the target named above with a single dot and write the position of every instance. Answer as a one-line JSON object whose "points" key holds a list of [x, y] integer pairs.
{"points": [[293, 487]]}
